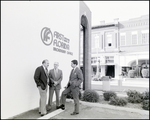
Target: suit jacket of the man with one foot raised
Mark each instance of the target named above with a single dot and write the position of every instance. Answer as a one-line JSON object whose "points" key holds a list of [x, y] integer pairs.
{"points": [[76, 78]]}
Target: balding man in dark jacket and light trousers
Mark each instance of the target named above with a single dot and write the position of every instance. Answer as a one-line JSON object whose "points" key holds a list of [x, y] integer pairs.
{"points": [[41, 79]]}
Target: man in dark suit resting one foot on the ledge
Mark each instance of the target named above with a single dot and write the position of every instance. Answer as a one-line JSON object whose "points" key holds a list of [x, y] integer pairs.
{"points": [[75, 79]]}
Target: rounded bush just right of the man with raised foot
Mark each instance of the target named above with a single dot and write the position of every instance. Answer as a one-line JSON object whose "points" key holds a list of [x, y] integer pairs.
{"points": [[90, 96]]}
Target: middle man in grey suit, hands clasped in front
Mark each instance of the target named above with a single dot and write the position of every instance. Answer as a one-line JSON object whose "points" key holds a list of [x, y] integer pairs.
{"points": [[55, 76]]}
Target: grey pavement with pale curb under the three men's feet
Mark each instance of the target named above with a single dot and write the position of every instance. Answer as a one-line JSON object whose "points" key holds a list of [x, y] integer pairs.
{"points": [[88, 111]]}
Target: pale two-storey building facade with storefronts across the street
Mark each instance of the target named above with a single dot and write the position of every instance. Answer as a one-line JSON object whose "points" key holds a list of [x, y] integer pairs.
{"points": [[120, 46]]}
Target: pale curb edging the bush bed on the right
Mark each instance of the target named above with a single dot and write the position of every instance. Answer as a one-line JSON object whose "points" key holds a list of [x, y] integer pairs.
{"points": [[142, 112]]}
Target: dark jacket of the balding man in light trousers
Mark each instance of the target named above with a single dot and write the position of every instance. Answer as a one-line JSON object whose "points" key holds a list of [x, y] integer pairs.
{"points": [[40, 77]]}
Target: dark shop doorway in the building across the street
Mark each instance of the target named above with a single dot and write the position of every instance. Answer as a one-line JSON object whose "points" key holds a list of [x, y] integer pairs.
{"points": [[110, 71]]}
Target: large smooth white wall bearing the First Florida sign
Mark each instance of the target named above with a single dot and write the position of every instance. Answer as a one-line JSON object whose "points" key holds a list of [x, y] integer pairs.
{"points": [[22, 49]]}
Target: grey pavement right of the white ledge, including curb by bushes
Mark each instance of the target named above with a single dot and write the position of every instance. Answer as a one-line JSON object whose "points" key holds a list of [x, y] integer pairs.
{"points": [[100, 111]]}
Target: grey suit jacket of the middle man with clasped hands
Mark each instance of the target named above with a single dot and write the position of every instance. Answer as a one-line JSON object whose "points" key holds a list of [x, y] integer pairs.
{"points": [[57, 78]]}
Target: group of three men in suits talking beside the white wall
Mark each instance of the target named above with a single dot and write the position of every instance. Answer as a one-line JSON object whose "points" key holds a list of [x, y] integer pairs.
{"points": [[53, 79]]}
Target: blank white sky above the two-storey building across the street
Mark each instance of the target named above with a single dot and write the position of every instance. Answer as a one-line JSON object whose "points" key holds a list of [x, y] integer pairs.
{"points": [[109, 10]]}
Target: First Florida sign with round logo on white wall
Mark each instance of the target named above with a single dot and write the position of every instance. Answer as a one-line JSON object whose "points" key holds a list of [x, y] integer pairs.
{"points": [[59, 42]]}
